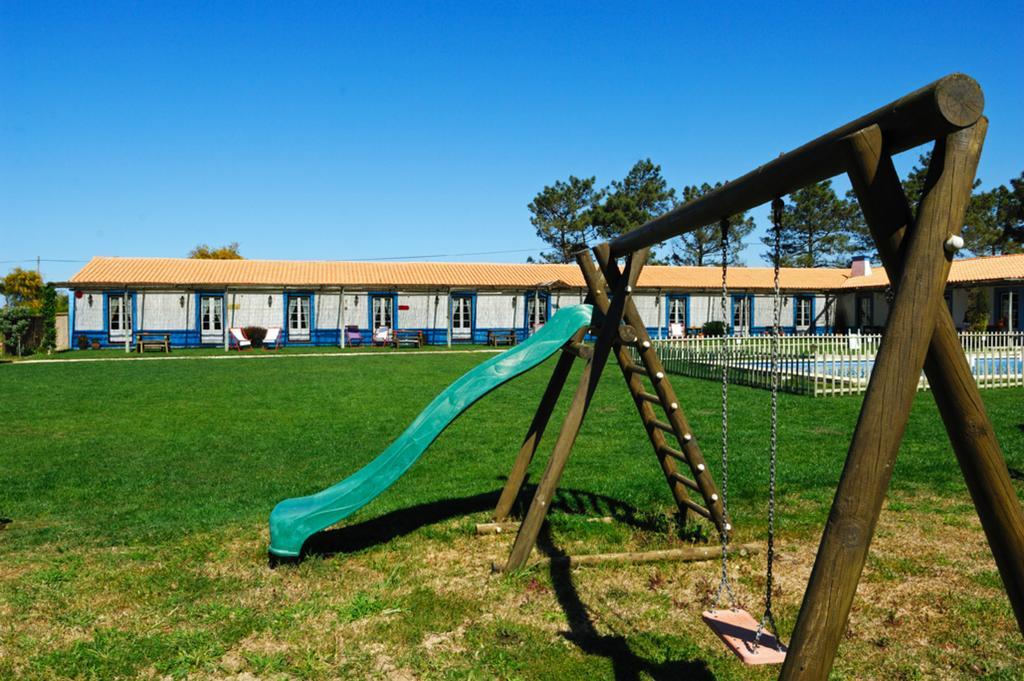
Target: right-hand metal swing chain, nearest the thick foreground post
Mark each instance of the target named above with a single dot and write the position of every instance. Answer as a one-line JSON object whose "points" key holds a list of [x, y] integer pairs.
{"points": [[770, 618]]}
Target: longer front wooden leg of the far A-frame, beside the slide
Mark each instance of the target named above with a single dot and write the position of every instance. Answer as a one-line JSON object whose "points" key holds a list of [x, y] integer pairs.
{"points": [[527, 538]]}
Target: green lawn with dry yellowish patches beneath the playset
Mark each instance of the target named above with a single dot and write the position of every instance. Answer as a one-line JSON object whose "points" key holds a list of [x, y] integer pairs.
{"points": [[140, 494]]}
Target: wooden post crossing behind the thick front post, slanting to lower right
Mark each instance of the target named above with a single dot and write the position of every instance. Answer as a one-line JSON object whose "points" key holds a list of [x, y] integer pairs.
{"points": [[954, 388]]}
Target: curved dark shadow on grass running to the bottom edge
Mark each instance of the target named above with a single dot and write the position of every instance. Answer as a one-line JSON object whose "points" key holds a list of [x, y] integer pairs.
{"points": [[626, 664]]}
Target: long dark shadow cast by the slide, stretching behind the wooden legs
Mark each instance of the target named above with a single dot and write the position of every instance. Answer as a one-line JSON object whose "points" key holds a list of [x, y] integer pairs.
{"points": [[404, 522]]}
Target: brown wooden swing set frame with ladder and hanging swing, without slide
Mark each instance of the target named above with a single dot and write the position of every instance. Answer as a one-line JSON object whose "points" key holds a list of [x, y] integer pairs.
{"points": [[917, 248]]}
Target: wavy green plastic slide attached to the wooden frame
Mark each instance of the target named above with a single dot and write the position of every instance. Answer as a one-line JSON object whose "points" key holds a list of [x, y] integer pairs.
{"points": [[294, 521]]}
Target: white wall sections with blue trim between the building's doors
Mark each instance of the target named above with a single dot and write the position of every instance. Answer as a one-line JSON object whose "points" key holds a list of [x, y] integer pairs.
{"points": [[162, 312]]}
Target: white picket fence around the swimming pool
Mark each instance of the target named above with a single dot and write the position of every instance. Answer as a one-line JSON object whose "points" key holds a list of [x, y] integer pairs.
{"points": [[833, 365]]}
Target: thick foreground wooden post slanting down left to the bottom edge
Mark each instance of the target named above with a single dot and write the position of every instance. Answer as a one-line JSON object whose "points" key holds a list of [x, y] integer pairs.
{"points": [[891, 391]]}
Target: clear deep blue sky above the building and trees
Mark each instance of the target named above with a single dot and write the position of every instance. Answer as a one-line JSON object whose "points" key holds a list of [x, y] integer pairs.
{"points": [[376, 131]]}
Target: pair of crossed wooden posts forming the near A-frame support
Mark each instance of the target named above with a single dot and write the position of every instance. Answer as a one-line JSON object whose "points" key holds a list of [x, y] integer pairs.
{"points": [[920, 334]]}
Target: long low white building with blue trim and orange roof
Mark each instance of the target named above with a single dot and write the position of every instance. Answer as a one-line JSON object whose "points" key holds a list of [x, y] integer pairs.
{"points": [[195, 302]]}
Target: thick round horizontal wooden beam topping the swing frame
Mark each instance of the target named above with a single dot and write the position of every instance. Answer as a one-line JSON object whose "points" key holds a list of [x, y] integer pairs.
{"points": [[931, 113]]}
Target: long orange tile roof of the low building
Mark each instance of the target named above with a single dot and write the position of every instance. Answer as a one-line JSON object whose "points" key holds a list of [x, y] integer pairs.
{"points": [[106, 272]]}
